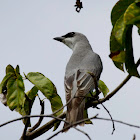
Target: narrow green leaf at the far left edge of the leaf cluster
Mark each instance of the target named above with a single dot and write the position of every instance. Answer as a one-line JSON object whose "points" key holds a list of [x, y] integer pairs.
{"points": [[4, 81]]}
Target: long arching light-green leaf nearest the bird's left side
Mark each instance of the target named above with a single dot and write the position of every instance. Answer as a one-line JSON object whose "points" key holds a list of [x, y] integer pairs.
{"points": [[47, 88]]}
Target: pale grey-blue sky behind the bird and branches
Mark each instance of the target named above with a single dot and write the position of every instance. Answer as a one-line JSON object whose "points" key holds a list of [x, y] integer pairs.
{"points": [[27, 29]]}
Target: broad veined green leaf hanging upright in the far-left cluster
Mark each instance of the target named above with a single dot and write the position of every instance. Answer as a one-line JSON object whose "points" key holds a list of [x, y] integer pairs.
{"points": [[15, 92]]}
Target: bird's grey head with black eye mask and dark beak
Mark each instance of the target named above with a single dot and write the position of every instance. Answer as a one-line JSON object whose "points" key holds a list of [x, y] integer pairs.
{"points": [[71, 38]]}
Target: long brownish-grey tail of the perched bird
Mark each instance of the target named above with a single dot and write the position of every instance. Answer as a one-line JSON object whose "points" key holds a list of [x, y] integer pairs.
{"points": [[74, 115]]}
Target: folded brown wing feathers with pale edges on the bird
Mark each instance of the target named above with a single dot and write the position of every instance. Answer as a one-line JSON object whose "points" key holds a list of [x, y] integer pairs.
{"points": [[84, 83]]}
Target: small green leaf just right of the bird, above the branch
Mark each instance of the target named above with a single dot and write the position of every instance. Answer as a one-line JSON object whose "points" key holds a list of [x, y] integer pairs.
{"points": [[103, 88]]}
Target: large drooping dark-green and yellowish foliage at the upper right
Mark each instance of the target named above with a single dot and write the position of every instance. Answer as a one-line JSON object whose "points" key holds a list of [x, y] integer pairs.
{"points": [[124, 15]]}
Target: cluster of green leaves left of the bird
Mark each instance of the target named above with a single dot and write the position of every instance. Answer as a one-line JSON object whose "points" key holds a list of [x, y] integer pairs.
{"points": [[16, 99]]}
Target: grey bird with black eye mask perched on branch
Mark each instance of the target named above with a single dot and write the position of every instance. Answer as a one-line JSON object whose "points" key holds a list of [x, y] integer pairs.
{"points": [[78, 81]]}
